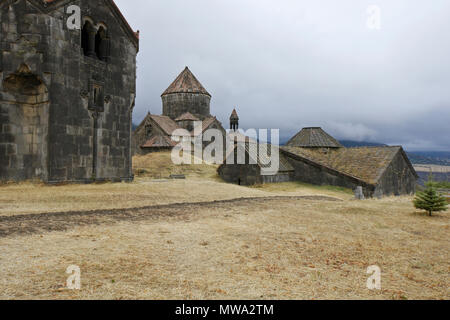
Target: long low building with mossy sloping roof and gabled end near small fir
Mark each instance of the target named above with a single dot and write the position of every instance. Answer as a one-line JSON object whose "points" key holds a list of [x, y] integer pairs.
{"points": [[380, 171]]}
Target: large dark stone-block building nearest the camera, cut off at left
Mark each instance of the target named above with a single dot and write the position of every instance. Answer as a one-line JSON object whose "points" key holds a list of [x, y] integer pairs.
{"points": [[66, 94]]}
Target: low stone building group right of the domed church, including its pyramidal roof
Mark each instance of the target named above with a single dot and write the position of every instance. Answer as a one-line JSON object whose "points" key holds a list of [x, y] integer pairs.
{"points": [[313, 156]]}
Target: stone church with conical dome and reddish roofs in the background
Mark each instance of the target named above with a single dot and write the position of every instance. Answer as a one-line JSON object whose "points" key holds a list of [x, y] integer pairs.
{"points": [[184, 103]]}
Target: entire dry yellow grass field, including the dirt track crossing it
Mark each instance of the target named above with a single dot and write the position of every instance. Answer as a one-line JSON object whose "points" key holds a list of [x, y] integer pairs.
{"points": [[200, 238]]}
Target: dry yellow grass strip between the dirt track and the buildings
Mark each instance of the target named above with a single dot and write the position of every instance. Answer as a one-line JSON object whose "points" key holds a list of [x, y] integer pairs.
{"points": [[202, 184]]}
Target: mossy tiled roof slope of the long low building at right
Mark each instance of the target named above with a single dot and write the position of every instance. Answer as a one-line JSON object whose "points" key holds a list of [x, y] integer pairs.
{"points": [[366, 164]]}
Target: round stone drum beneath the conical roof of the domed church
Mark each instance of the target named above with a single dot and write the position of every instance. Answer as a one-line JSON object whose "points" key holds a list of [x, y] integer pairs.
{"points": [[176, 104]]}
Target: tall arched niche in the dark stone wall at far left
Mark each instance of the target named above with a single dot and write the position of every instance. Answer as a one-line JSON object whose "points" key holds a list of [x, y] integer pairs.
{"points": [[25, 98]]}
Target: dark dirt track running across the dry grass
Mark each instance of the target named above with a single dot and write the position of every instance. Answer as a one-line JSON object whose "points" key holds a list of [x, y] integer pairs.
{"points": [[48, 222]]}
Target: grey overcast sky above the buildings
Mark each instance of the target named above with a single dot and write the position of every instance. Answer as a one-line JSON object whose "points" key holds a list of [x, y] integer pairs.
{"points": [[290, 64]]}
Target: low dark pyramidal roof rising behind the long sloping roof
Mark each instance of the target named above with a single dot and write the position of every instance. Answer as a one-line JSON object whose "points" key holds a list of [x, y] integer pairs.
{"points": [[314, 137]]}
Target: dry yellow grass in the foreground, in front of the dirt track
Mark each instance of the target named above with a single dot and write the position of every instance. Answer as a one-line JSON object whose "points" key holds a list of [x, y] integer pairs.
{"points": [[268, 250]]}
